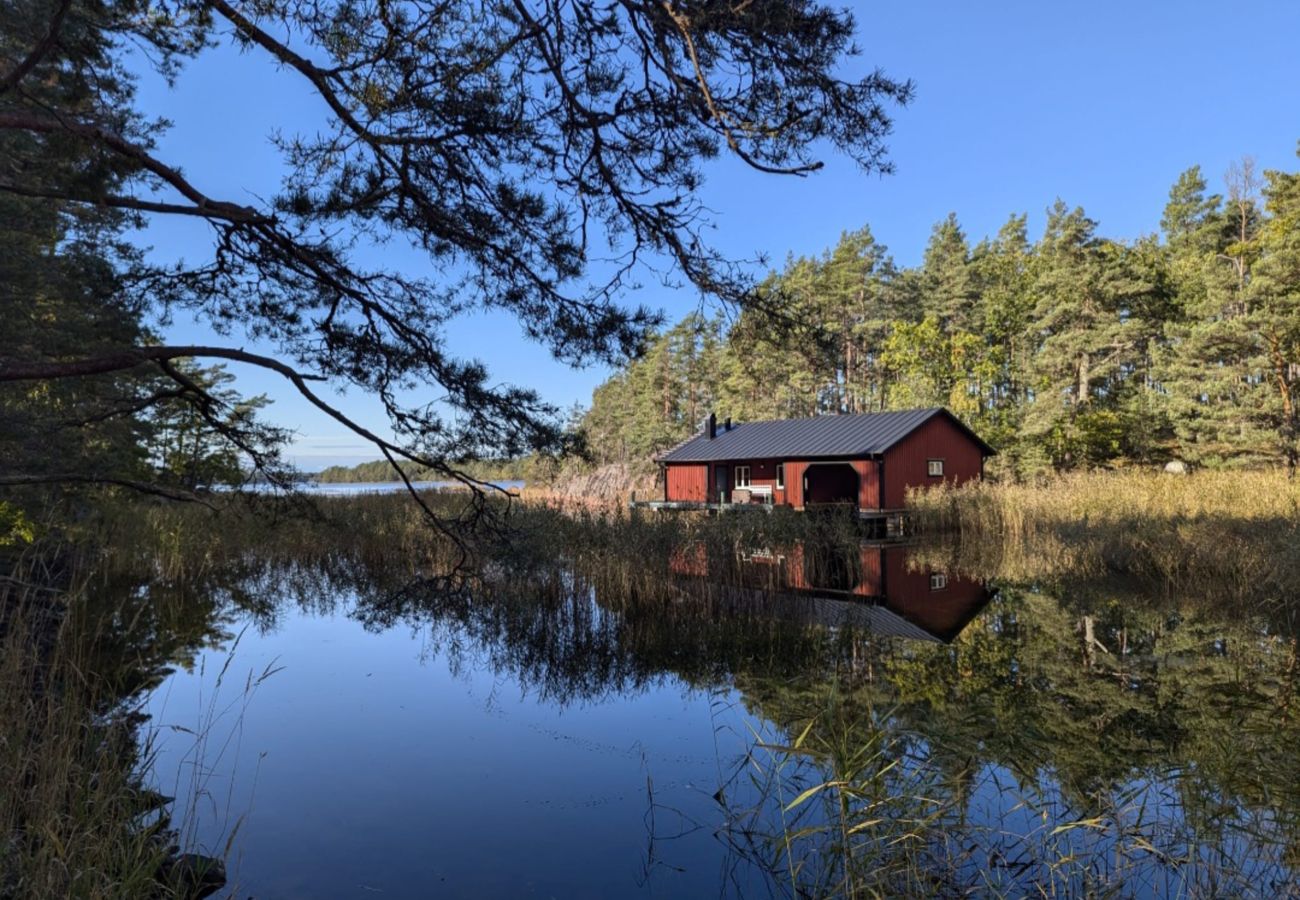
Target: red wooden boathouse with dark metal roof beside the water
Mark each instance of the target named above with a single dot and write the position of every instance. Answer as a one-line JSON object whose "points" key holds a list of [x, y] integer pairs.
{"points": [[869, 461]]}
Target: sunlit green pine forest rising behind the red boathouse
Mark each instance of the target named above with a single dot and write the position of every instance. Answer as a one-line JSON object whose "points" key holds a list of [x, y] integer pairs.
{"points": [[1073, 351]]}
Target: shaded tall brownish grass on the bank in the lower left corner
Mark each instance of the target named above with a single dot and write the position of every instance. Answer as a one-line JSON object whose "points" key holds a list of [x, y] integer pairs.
{"points": [[75, 819]]}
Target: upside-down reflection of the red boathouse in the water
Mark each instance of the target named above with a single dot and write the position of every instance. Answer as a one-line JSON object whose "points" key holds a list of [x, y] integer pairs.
{"points": [[876, 587]]}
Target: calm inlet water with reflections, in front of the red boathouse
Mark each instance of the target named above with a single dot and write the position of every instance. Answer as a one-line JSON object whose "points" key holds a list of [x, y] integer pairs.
{"points": [[591, 746]]}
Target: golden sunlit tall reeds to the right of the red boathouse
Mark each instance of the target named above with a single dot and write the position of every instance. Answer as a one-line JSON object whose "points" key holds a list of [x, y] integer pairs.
{"points": [[1238, 529]]}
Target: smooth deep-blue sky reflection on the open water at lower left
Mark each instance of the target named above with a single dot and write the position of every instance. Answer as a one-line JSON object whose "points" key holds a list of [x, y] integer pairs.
{"points": [[365, 765]]}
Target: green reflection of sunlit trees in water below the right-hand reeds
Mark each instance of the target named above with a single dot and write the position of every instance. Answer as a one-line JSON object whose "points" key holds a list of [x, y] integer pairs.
{"points": [[1175, 746]]}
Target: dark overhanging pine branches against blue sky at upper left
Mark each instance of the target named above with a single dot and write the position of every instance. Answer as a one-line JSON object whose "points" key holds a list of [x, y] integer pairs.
{"points": [[479, 135]]}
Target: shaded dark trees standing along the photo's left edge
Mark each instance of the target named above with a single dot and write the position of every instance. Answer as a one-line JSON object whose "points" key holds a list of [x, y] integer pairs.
{"points": [[76, 292]]}
